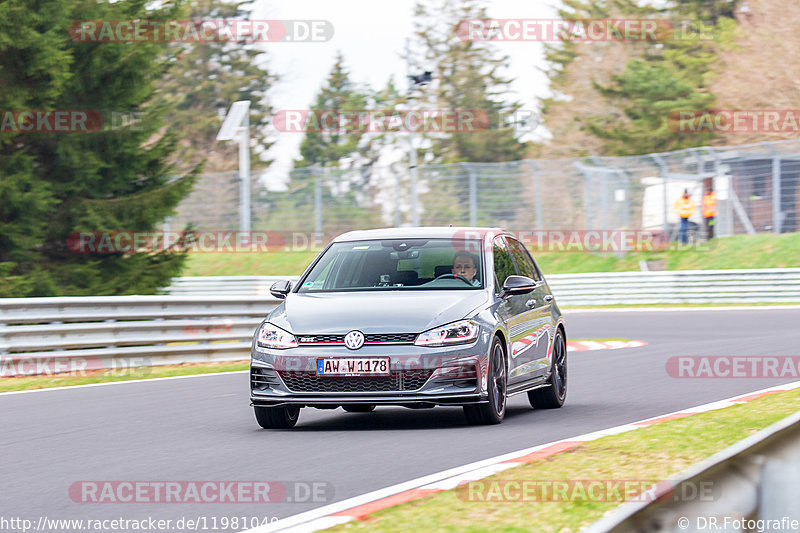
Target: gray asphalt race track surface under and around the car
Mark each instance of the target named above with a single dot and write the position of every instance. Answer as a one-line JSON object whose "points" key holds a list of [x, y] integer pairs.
{"points": [[202, 428]]}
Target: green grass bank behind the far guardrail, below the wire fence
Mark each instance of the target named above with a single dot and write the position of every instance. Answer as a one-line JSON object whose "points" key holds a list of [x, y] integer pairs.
{"points": [[739, 251]]}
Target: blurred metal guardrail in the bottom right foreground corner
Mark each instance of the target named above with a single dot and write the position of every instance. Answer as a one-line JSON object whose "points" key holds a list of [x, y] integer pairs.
{"points": [[755, 479]]}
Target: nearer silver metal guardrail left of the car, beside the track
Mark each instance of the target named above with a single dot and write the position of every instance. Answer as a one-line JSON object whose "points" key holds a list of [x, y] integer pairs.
{"points": [[37, 335]]}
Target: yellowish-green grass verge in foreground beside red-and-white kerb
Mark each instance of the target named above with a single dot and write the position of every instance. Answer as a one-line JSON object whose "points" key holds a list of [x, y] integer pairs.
{"points": [[653, 453]]}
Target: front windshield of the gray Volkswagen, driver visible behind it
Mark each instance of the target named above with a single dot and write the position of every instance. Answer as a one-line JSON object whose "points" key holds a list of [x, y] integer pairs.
{"points": [[397, 264]]}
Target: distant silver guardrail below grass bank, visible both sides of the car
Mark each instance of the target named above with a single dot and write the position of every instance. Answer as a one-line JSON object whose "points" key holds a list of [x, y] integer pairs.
{"points": [[687, 286]]}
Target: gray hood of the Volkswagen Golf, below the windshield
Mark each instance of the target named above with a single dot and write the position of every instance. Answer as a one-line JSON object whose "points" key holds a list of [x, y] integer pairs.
{"points": [[374, 312]]}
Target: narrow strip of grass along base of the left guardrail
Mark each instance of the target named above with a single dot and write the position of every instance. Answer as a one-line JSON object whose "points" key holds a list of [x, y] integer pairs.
{"points": [[18, 383]]}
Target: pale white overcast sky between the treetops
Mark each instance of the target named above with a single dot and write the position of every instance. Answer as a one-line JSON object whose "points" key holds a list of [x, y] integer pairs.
{"points": [[371, 35]]}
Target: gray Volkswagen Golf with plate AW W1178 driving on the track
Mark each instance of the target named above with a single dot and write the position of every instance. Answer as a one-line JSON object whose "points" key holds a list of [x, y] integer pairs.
{"points": [[416, 317]]}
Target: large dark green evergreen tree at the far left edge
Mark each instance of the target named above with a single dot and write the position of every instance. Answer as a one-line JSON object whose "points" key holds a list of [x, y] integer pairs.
{"points": [[53, 184]]}
